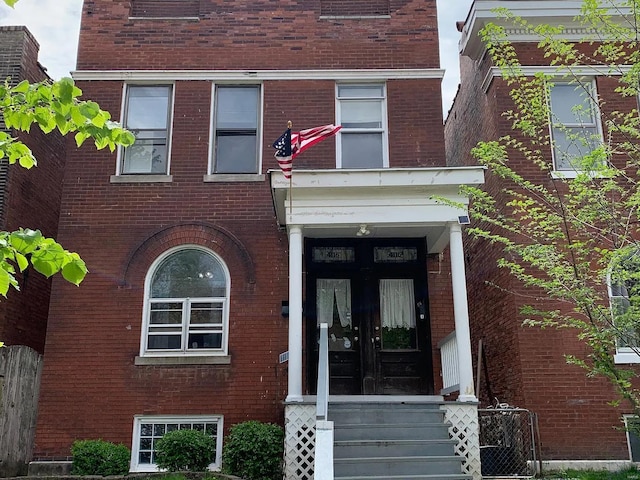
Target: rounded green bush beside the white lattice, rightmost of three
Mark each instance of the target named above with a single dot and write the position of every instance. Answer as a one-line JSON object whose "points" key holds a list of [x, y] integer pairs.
{"points": [[253, 450]]}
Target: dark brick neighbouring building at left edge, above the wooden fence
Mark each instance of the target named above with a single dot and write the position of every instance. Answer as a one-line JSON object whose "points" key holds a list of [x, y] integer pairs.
{"points": [[28, 198]]}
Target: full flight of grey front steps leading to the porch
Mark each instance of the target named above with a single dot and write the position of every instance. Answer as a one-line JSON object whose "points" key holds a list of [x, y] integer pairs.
{"points": [[392, 441]]}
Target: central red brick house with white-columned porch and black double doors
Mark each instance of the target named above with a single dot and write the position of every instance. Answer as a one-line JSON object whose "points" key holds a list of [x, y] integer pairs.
{"points": [[209, 271]]}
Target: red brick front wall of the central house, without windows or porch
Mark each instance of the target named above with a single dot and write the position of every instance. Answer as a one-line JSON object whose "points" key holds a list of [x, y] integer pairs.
{"points": [[91, 386]]}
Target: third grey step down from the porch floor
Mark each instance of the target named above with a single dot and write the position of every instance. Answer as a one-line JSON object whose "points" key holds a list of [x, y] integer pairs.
{"points": [[393, 448]]}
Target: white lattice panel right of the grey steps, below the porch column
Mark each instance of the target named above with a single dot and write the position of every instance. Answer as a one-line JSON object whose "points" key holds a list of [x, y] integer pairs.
{"points": [[464, 428]]}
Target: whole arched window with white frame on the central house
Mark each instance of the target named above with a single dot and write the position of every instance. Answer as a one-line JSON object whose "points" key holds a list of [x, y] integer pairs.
{"points": [[186, 304]]}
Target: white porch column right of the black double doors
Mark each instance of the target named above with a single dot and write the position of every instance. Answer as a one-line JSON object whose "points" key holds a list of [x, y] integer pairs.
{"points": [[461, 314]]}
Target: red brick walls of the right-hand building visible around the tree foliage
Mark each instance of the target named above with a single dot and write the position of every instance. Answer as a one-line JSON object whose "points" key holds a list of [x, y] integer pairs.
{"points": [[525, 366]]}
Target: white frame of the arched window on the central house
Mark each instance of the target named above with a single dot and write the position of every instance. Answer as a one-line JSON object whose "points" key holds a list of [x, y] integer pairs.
{"points": [[184, 351]]}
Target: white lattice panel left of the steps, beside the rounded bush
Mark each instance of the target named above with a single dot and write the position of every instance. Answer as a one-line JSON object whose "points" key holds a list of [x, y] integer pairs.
{"points": [[299, 441]]}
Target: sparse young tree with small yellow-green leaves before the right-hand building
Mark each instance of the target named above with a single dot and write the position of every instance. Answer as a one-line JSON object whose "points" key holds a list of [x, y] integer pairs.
{"points": [[570, 240]]}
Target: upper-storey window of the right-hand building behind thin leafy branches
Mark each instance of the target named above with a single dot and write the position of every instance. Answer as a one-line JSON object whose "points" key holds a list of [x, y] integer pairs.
{"points": [[575, 126]]}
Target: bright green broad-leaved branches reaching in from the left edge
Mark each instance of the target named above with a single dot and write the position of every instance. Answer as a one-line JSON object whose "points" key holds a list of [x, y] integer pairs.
{"points": [[50, 105]]}
